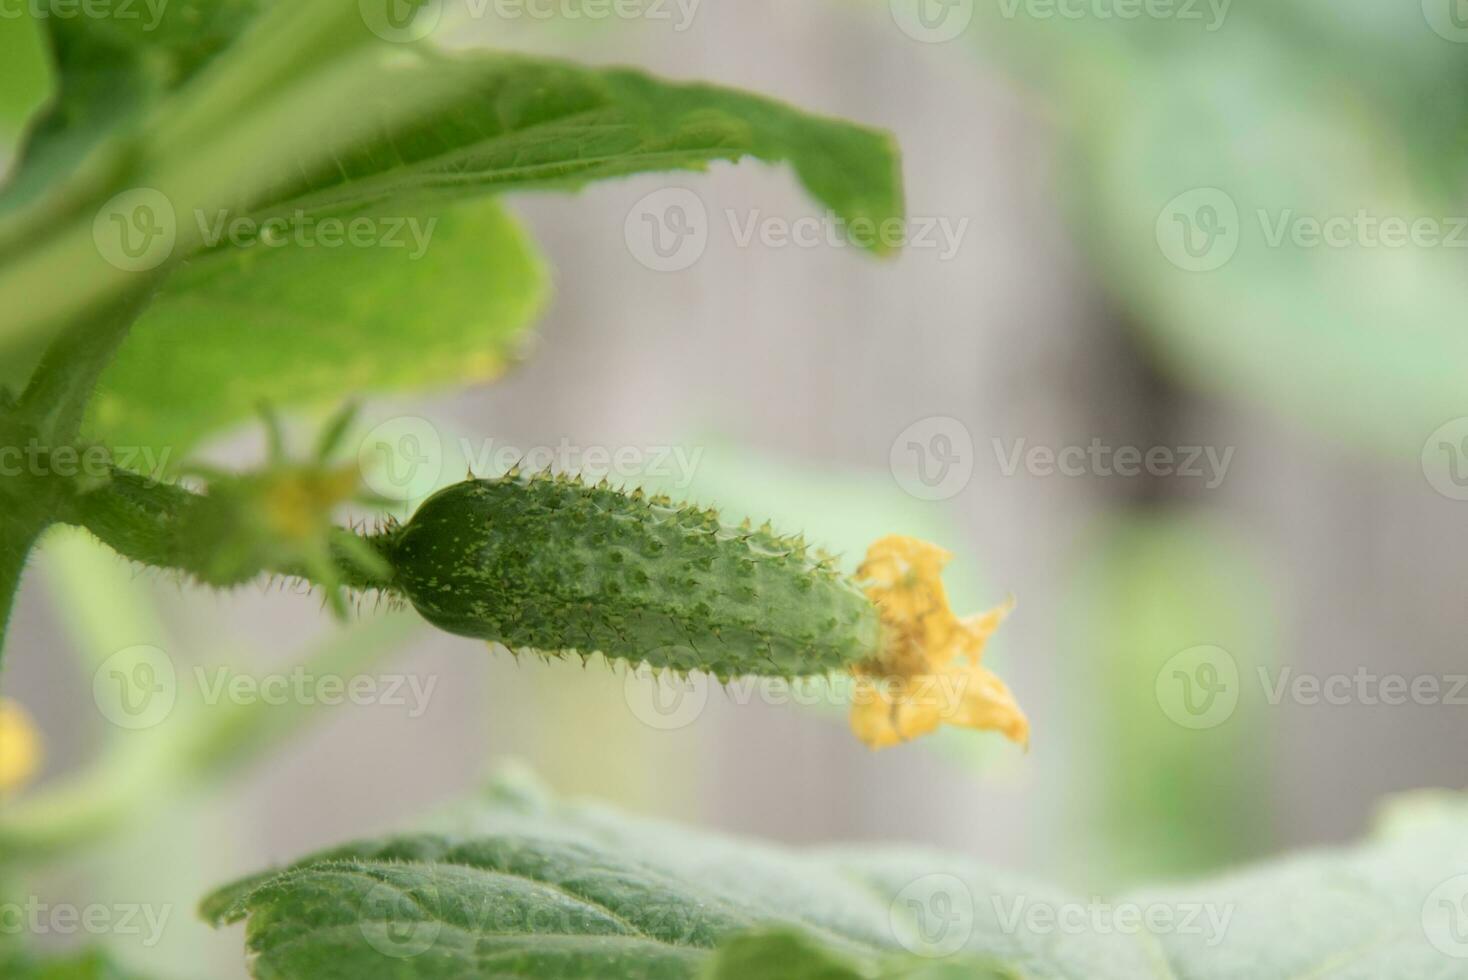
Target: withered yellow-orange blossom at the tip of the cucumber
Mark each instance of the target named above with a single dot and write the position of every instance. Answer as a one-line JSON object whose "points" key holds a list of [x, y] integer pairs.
{"points": [[927, 673]]}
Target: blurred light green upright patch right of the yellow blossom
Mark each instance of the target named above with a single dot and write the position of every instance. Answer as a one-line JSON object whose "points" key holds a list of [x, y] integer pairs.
{"points": [[1178, 781]]}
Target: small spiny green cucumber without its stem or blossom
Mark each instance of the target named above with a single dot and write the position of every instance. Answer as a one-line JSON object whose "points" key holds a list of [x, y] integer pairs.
{"points": [[554, 566]]}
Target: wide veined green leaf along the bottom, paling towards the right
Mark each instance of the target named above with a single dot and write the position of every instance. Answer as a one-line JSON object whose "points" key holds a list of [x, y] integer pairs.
{"points": [[529, 887]]}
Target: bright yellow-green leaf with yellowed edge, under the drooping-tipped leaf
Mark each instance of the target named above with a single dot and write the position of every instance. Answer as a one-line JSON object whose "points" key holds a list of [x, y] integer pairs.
{"points": [[313, 326]]}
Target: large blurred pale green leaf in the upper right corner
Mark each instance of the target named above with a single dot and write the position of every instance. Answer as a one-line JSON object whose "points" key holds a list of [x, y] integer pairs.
{"points": [[1348, 108]]}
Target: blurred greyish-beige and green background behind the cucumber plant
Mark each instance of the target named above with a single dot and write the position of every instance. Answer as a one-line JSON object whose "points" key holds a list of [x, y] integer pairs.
{"points": [[1174, 357]]}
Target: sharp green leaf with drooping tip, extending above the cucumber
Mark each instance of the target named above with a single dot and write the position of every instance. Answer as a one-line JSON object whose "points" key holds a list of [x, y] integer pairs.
{"points": [[525, 124]]}
